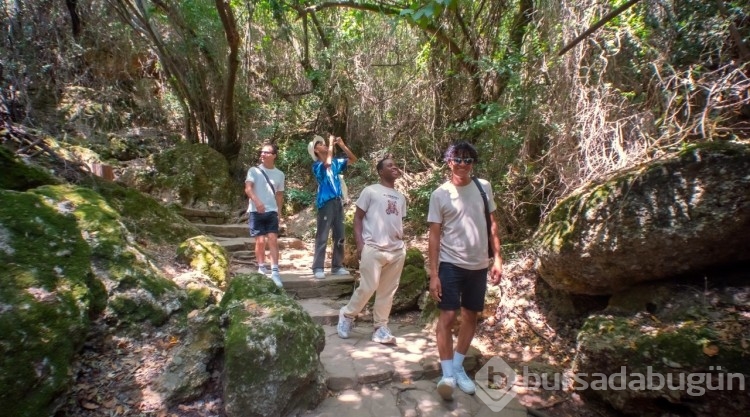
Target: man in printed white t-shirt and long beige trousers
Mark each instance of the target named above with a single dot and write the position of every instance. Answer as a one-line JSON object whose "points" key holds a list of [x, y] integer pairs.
{"points": [[378, 230]]}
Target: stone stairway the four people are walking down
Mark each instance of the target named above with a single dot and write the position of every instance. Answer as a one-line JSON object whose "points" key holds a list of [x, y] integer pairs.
{"points": [[364, 378]]}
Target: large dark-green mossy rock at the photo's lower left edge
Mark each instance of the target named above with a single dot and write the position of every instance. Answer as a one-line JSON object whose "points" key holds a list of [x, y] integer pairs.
{"points": [[47, 295]]}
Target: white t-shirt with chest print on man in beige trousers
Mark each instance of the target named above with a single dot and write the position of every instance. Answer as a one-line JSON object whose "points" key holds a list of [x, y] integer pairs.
{"points": [[385, 209]]}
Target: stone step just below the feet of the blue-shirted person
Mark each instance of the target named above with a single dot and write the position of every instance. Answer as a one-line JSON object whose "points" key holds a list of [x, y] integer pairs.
{"points": [[303, 285]]}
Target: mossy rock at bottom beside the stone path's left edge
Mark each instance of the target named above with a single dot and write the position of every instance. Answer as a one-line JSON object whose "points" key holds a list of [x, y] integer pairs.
{"points": [[272, 351]]}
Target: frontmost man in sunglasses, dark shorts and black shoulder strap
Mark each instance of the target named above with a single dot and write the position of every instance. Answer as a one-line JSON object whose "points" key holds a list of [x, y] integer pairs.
{"points": [[462, 230]]}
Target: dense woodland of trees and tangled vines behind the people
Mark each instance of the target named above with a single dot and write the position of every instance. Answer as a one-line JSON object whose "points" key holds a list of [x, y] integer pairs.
{"points": [[555, 94]]}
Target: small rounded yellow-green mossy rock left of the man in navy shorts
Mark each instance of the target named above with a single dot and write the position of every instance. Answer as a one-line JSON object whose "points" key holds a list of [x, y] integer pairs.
{"points": [[205, 255]]}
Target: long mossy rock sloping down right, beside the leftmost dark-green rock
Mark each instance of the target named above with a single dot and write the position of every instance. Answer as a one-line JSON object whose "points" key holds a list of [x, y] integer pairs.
{"points": [[137, 289]]}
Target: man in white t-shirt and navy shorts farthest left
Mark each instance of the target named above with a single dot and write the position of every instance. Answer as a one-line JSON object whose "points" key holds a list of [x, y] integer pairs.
{"points": [[264, 186]]}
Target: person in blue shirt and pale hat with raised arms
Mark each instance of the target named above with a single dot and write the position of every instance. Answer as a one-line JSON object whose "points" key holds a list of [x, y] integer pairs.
{"points": [[329, 201]]}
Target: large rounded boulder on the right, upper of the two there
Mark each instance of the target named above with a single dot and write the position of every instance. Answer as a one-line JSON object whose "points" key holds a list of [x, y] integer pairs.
{"points": [[674, 216]]}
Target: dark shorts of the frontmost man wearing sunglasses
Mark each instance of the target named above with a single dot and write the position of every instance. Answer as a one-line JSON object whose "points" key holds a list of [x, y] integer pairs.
{"points": [[462, 287]]}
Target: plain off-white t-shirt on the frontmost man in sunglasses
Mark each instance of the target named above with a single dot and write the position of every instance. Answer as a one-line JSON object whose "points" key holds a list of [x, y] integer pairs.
{"points": [[460, 211]]}
